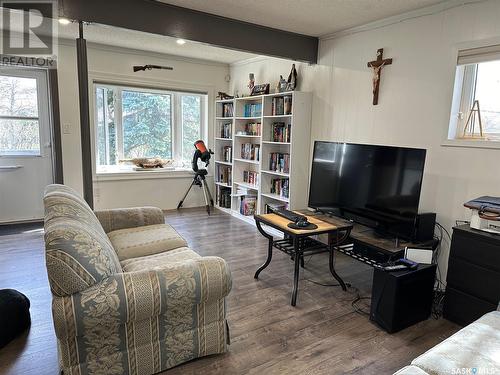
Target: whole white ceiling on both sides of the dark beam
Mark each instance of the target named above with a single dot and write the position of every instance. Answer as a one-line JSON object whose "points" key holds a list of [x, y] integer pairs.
{"points": [[310, 17]]}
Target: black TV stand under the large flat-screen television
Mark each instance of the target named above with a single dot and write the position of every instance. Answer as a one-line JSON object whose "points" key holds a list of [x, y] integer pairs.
{"points": [[366, 245]]}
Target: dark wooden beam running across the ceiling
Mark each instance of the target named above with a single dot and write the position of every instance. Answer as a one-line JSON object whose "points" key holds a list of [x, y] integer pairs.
{"points": [[164, 19]]}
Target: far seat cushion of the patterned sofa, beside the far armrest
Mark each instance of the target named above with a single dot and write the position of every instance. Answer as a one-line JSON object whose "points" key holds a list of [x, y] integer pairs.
{"points": [[142, 241]]}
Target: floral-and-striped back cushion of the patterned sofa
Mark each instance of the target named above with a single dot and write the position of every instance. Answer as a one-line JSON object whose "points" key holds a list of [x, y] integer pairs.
{"points": [[78, 252]]}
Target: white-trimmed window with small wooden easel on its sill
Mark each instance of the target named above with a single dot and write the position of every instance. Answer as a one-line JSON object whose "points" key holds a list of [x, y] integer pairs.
{"points": [[477, 79]]}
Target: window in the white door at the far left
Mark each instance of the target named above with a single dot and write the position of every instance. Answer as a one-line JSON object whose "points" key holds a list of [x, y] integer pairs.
{"points": [[19, 121]]}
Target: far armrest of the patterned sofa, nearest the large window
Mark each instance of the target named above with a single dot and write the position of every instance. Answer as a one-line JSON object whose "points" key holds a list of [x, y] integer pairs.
{"points": [[122, 218]]}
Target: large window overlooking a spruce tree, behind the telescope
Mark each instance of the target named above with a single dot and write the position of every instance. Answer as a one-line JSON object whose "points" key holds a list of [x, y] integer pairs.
{"points": [[135, 122]]}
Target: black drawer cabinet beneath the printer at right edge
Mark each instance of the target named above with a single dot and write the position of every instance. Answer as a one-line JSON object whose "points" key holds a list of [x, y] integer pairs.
{"points": [[473, 279]]}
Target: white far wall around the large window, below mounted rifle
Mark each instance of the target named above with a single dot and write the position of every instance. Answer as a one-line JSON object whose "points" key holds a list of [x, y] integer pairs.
{"points": [[115, 65]]}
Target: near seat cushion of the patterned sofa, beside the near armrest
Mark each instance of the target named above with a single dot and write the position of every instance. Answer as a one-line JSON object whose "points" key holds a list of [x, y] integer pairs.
{"points": [[159, 261]]}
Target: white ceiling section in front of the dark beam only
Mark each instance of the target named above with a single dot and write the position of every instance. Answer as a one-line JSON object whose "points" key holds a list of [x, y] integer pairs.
{"points": [[309, 17]]}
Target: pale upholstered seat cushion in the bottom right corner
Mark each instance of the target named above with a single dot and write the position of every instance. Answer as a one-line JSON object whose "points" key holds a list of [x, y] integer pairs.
{"points": [[475, 346]]}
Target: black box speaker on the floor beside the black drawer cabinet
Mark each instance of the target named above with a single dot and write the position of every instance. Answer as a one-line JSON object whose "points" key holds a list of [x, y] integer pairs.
{"points": [[402, 298]]}
